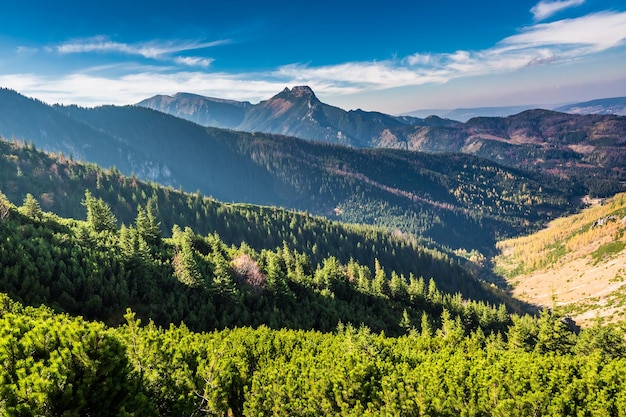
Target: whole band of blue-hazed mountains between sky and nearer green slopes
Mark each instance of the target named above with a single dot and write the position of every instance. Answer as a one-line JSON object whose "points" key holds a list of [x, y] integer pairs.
{"points": [[461, 201]]}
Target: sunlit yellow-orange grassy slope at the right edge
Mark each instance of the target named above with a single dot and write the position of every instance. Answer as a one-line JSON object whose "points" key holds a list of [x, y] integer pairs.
{"points": [[578, 263]]}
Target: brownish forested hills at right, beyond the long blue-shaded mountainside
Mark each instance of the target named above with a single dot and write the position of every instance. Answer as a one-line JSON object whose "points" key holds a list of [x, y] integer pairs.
{"points": [[588, 149]]}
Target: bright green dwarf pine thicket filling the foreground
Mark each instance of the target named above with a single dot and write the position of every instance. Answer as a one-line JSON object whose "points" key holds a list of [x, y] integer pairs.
{"points": [[52, 362]]}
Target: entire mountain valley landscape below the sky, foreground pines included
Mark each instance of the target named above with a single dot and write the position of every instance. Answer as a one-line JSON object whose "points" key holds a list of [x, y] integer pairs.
{"points": [[317, 278]]}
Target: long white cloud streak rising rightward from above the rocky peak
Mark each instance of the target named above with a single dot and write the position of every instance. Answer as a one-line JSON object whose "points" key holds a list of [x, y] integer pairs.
{"points": [[538, 44]]}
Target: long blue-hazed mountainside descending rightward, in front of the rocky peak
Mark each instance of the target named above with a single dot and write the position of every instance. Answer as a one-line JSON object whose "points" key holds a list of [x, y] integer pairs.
{"points": [[460, 201]]}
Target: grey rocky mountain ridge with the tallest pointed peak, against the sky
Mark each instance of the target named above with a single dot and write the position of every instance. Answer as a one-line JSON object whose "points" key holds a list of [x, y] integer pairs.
{"points": [[292, 112]]}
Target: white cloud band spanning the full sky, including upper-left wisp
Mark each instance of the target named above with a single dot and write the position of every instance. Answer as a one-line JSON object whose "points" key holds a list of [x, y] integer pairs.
{"points": [[538, 44]]}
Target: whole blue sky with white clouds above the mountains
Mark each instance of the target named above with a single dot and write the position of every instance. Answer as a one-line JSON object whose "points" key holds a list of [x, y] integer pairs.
{"points": [[392, 56]]}
